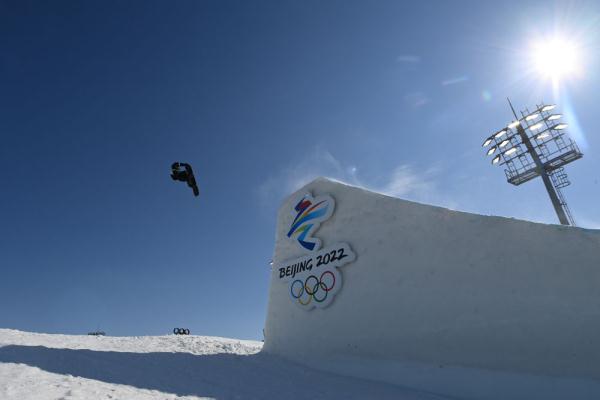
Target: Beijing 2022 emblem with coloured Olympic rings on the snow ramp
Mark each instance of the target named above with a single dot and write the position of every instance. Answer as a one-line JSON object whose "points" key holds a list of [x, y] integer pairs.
{"points": [[313, 280]]}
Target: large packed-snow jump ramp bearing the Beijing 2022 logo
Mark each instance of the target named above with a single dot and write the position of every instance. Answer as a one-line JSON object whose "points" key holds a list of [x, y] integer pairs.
{"points": [[446, 301]]}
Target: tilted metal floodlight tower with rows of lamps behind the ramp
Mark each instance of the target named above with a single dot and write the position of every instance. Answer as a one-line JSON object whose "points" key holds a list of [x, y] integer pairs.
{"points": [[538, 146]]}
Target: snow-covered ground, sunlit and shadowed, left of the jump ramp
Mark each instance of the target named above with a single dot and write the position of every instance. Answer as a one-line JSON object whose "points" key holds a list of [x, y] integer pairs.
{"points": [[67, 367]]}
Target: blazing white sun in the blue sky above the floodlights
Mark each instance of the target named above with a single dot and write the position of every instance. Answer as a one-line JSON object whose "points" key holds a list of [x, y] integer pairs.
{"points": [[556, 57]]}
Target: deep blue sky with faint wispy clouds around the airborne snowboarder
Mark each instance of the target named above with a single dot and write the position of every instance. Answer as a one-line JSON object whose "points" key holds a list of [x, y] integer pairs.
{"points": [[97, 99]]}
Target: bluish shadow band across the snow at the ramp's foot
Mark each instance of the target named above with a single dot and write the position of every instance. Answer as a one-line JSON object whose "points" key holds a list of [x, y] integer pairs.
{"points": [[220, 376]]}
